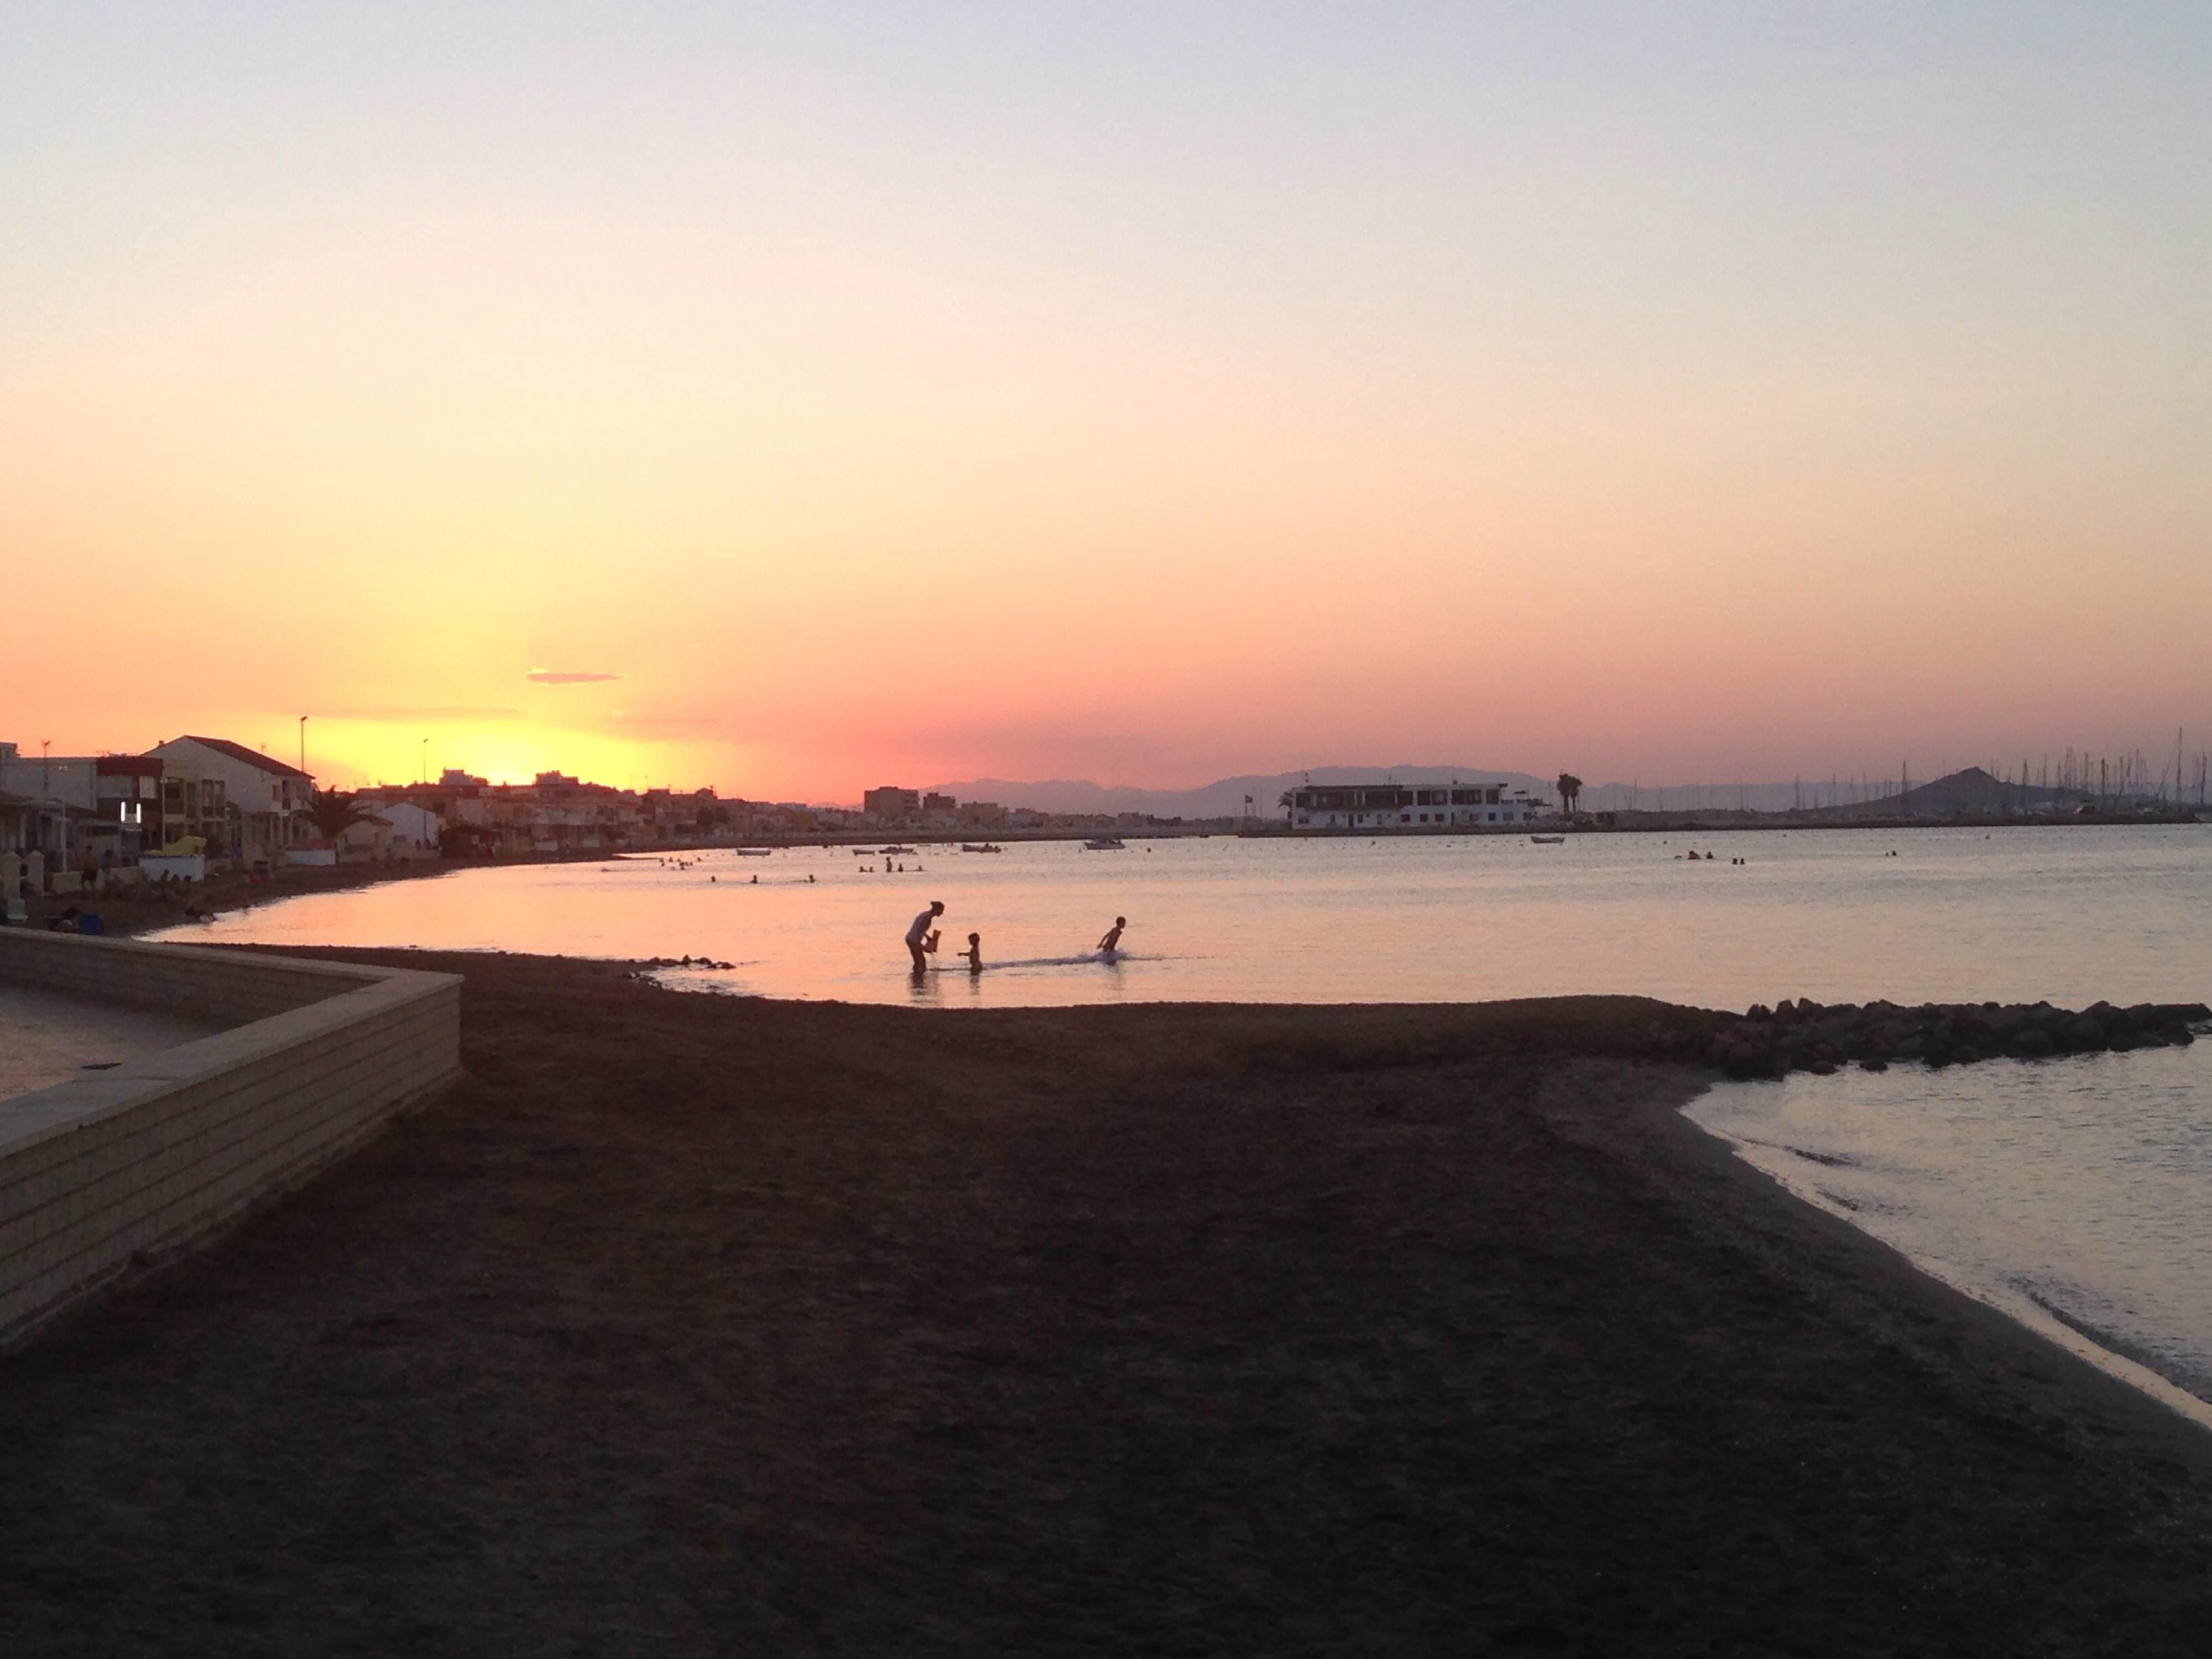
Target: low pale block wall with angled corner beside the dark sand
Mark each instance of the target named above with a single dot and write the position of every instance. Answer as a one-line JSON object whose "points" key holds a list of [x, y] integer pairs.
{"points": [[143, 1160]]}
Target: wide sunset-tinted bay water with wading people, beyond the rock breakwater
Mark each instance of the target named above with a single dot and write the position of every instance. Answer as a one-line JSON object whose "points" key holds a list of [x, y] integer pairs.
{"points": [[2016, 915]]}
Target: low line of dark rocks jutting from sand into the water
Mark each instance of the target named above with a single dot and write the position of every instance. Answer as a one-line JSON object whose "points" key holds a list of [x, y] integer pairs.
{"points": [[1808, 1036]]}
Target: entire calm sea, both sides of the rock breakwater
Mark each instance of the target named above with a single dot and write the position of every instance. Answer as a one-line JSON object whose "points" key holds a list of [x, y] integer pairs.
{"points": [[2074, 1193]]}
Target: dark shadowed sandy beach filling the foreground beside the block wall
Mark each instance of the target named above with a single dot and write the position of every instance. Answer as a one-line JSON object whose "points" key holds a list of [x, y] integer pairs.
{"points": [[707, 1326]]}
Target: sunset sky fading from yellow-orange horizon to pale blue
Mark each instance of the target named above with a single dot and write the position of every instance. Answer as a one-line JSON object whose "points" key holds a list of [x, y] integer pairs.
{"points": [[808, 397]]}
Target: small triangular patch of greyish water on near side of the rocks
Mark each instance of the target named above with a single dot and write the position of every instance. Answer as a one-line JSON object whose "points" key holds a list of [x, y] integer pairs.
{"points": [[2072, 1193]]}
